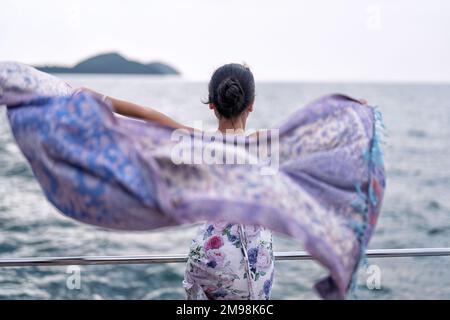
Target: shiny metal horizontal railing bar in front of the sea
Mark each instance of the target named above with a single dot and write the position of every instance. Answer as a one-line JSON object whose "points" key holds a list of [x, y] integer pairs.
{"points": [[181, 258]]}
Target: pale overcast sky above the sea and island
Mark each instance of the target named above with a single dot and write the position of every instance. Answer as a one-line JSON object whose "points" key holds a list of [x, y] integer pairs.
{"points": [[348, 40]]}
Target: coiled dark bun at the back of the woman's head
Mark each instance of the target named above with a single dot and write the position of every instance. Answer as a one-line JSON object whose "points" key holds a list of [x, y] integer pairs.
{"points": [[230, 97]]}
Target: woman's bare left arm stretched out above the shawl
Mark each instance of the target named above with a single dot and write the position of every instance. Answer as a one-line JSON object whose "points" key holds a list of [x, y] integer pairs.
{"points": [[129, 109]]}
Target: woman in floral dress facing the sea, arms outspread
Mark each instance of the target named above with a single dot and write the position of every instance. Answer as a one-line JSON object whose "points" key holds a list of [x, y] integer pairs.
{"points": [[226, 261]]}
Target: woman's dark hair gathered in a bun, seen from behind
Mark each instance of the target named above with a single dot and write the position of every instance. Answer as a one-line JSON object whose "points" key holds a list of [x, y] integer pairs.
{"points": [[231, 89]]}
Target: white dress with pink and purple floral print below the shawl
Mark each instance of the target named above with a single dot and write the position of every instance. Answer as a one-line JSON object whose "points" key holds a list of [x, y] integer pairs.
{"points": [[230, 262]]}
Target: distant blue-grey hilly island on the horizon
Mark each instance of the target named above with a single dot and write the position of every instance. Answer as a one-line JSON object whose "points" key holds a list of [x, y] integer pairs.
{"points": [[112, 63]]}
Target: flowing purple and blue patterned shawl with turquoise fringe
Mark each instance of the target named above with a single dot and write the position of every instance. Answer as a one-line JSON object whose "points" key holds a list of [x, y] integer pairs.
{"points": [[117, 172]]}
